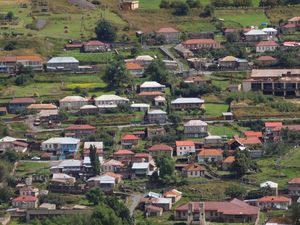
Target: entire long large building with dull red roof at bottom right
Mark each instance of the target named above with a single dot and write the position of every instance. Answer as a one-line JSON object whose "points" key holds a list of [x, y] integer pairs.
{"points": [[235, 211]]}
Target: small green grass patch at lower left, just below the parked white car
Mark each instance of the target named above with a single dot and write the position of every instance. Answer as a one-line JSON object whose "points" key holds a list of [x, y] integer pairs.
{"points": [[27, 168]]}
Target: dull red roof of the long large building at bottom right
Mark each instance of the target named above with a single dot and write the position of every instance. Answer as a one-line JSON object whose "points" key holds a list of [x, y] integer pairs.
{"points": [[234, 207]]}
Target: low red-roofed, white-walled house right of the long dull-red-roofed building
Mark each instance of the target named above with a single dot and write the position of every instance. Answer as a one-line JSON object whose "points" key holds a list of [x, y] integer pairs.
{"points": [[274, 202]]}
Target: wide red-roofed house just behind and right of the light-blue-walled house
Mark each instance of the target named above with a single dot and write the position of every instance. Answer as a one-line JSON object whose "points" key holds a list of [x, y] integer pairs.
{"points": [[79, 130]]}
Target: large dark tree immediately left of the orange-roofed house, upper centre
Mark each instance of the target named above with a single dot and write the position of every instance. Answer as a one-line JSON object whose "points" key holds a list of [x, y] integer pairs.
{"points": [[116, 75]]}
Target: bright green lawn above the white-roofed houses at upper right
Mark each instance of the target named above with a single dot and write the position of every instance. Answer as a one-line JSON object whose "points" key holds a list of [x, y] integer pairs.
{"points": [[241, 17]]}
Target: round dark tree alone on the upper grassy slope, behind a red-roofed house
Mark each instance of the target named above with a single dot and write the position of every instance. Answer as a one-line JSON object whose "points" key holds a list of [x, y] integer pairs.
{"points": [[105, 31]]}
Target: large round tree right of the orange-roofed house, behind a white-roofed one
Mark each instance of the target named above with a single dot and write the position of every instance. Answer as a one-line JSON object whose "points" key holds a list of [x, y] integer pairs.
{"points": [[158, 71]]}
